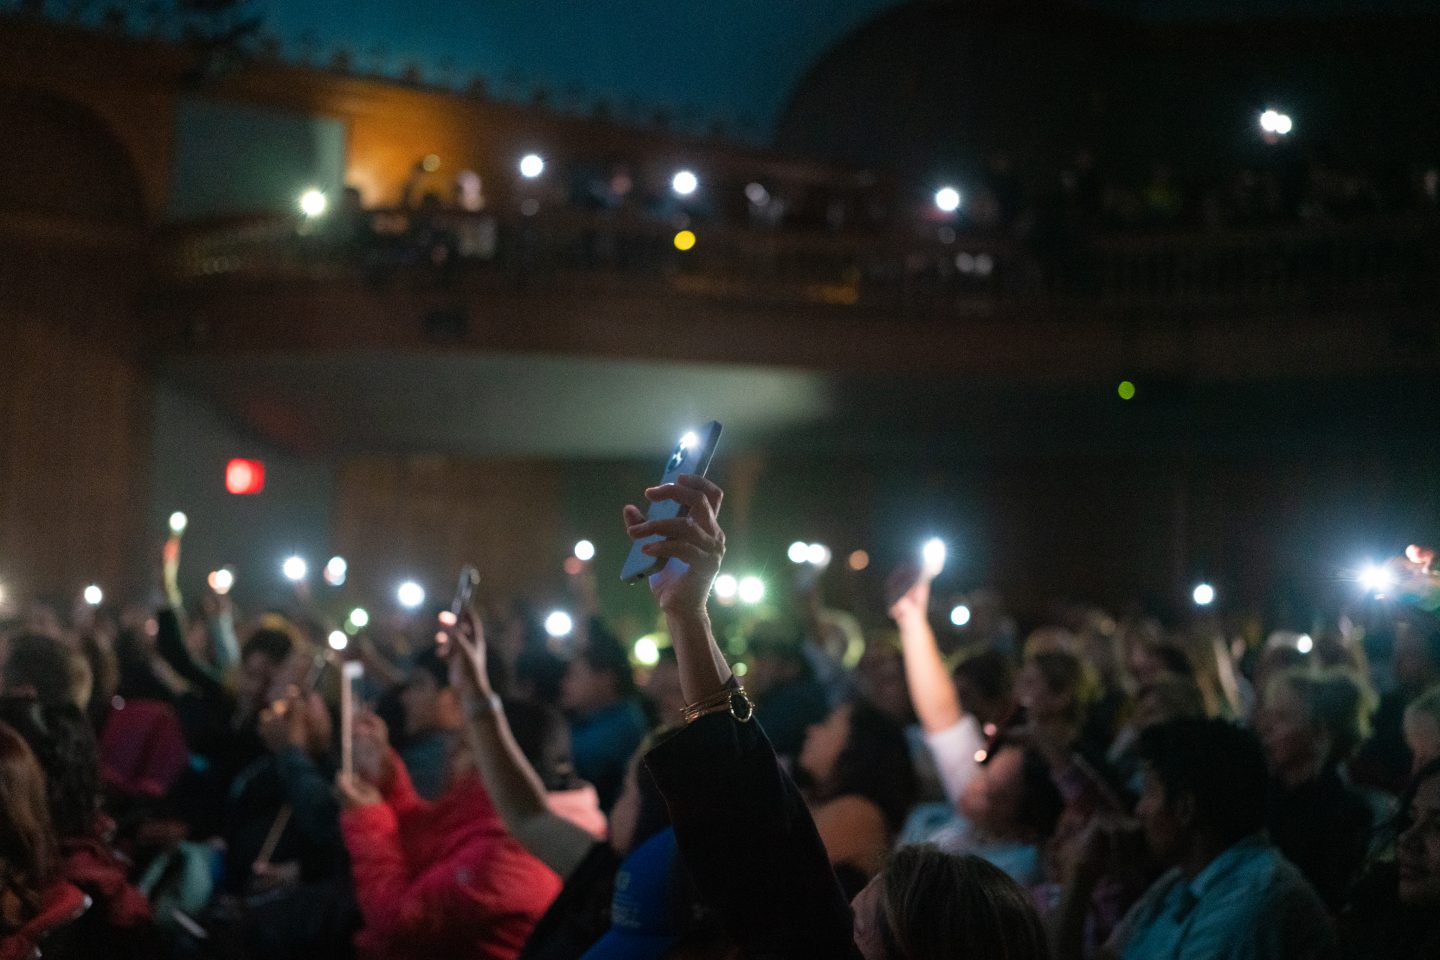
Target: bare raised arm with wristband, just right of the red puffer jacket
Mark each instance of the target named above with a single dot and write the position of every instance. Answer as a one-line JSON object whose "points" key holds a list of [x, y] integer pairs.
{"points": [[512, 782]]}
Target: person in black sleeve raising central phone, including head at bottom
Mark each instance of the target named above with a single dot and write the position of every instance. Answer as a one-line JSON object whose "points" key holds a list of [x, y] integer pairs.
{"points": [[745, 834]]}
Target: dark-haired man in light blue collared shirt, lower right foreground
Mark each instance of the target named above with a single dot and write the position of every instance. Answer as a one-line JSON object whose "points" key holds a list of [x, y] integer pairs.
{"points": [[1228, 893]]}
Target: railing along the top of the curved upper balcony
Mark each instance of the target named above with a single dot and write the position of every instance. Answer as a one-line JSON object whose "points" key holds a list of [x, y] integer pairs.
{"points": [[930, 271]]}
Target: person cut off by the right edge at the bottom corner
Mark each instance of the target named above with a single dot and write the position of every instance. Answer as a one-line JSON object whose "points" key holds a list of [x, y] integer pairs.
{"points": [[1395, 912]]}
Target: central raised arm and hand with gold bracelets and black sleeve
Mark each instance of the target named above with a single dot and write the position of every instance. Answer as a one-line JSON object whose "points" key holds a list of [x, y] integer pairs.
{"points": [[741, 824]]}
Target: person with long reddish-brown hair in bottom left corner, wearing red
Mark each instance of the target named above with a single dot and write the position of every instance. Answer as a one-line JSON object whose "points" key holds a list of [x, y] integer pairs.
{"points": [[41, 913]]}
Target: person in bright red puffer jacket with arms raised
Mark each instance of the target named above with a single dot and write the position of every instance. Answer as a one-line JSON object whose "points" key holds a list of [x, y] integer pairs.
{"points": [[436, 880]]}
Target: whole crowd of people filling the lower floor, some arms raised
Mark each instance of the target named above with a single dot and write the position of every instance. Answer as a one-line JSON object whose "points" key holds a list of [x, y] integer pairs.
{"points": [[178, 781]]}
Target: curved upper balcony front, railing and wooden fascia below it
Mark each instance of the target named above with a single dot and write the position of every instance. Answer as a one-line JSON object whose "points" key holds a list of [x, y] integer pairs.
{"points": [[1344, 297]]}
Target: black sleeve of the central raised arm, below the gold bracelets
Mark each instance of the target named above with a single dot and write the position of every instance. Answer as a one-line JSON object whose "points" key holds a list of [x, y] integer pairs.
{"points": [[751, 843]]}
